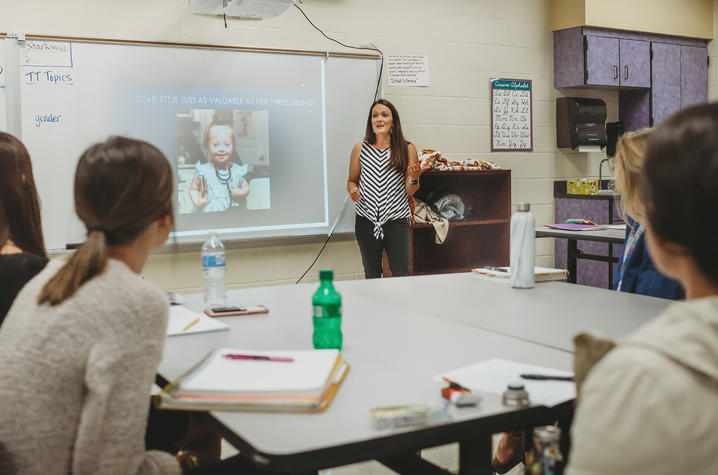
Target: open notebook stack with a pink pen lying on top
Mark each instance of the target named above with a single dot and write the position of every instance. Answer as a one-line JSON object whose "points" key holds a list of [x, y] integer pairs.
{"points": [[249, 380]]}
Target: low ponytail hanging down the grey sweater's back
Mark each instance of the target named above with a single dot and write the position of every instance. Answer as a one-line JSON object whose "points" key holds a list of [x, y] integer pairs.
{"points": [[88, 261]]}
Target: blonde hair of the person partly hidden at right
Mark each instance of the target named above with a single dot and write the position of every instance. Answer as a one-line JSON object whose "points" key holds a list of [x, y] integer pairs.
{"points": [[630, 152]]}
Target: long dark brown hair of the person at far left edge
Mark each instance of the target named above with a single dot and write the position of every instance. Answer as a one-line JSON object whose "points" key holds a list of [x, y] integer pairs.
{"points": [[18, 198]]}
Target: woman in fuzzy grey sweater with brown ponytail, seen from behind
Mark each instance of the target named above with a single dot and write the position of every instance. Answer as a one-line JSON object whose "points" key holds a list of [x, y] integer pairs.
{"points": [[80, 346]]}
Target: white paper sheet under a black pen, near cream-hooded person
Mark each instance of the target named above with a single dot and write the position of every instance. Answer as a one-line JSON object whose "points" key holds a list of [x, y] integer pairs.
{"points": [[492, 376]]}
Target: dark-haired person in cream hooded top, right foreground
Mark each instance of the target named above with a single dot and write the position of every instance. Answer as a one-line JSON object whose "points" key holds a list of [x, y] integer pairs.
{"points": [[649, 405]]}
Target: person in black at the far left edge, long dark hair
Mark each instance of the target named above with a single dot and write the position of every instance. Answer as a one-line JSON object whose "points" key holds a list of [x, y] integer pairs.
{"points": [[22, 250]]}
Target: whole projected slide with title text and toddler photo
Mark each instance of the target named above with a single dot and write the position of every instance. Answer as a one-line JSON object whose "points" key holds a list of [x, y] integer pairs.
{"points": [[245, 160]]}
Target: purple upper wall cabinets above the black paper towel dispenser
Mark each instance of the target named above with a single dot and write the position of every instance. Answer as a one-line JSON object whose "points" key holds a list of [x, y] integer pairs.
{"points": [[656, 74]]}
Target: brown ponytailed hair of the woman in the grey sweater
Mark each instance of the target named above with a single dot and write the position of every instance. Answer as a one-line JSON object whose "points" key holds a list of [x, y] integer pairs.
{"points": [[121, 187]]}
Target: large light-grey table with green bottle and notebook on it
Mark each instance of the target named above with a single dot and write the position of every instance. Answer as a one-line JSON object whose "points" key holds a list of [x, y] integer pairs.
{"points": [[398, 334]]}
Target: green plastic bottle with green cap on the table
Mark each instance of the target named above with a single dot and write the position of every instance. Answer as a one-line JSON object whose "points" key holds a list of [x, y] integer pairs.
{"points": [[327, 305]]}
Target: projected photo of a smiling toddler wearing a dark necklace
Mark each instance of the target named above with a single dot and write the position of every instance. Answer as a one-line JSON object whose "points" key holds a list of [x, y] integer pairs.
{"points": [[216, 149]]}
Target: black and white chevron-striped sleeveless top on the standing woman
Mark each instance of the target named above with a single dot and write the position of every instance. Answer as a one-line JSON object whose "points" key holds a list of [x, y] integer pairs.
{"points": [[382, 189]]}
